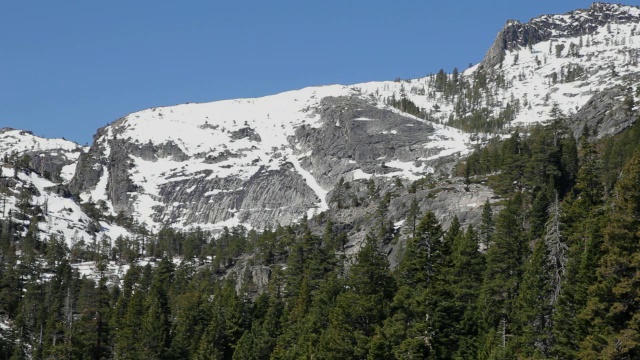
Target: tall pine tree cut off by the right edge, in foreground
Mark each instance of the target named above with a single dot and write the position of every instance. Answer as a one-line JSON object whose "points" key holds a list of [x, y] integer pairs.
{"points": [[612, 308]]}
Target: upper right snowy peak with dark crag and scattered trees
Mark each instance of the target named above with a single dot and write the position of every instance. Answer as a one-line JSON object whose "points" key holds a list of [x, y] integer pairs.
{"points": [[561, 60]]}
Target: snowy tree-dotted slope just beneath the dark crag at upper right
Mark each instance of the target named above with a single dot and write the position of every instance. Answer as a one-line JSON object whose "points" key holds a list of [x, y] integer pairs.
{"points": [[536, 74]]}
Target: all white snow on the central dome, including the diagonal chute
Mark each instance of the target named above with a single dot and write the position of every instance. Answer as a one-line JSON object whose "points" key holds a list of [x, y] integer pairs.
{"points": [[235, 139]]}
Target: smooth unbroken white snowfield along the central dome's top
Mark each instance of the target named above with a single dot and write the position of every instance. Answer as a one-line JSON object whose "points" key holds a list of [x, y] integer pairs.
{"points": [[202, 128]]}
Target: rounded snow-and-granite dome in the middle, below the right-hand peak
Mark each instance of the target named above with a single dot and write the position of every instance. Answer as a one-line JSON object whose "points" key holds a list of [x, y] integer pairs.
{"points": [[254, 161]]}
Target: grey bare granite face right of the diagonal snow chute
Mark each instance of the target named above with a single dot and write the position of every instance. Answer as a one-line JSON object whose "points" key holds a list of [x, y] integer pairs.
{"points": [[356, 134]]}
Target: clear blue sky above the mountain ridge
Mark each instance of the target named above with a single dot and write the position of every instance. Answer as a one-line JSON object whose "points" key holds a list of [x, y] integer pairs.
{"points": [[70, 67]]}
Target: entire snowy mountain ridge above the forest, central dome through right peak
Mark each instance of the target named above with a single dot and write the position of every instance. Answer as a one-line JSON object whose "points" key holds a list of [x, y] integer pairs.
{"points": [[270, 160]]}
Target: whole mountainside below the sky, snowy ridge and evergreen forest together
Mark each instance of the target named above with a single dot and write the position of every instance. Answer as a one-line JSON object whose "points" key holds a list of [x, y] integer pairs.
{"points": [[484, 213]]}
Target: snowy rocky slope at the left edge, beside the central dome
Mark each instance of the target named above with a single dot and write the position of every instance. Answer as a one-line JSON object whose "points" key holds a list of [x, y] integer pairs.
{"points": [[39, 189]]}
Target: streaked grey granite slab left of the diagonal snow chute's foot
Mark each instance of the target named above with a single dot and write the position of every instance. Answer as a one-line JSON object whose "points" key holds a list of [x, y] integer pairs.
{"points": [[267, 198]]}
